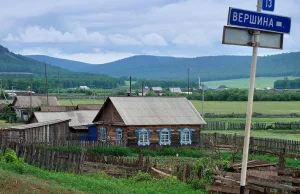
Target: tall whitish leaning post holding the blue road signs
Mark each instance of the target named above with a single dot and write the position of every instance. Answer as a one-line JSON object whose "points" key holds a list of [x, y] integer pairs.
{"points": [[250, 106]]}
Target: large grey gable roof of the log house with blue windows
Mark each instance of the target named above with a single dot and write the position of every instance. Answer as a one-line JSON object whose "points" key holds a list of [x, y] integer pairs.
{"points": [[155, 111]]}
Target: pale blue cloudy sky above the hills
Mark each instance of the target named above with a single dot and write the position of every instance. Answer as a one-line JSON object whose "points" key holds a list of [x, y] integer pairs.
{"points": [[99, 31]]}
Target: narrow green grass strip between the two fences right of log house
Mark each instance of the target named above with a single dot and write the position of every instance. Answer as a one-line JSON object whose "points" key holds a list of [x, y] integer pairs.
{"points": [[273, 134]]}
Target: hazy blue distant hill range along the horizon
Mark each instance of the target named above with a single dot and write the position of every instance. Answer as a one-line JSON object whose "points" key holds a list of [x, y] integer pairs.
{"points": [[210, 68]]}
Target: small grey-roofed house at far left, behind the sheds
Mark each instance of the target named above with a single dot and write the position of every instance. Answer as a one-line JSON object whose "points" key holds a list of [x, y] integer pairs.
{"points": [[23, 104]]}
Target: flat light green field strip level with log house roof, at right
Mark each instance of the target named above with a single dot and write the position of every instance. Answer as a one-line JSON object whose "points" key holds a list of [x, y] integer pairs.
{"points": [[268, 107]]}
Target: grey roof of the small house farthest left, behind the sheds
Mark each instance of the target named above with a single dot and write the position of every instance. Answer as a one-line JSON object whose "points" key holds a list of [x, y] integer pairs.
{"points": [[24, 101]]}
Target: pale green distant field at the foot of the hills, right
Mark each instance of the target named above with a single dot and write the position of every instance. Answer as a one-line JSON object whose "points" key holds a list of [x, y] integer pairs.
{"points": [[260, 82]]}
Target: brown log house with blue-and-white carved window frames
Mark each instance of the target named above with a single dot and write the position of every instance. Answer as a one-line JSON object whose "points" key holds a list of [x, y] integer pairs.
{"points": [[149, 121]]}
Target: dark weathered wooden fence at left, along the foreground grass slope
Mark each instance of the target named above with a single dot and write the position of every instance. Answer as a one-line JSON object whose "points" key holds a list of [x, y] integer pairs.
{"points": [[48, 159]]}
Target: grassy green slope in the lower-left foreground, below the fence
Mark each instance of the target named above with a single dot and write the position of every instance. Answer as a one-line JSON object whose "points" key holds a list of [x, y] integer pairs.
{"points": [[56, 182]]}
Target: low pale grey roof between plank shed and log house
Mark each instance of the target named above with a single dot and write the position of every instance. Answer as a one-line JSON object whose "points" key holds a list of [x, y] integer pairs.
{"points": [[82, 117]]}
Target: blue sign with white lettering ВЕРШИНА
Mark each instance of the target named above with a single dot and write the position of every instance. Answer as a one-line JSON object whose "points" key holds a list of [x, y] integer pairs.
{"points": [[260, 21]]}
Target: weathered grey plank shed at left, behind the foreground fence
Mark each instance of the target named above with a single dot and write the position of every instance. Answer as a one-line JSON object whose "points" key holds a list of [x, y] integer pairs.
{"points": [[54, 130]]}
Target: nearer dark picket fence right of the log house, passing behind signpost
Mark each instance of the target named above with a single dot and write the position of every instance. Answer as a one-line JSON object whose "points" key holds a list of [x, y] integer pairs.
{"points": [[256, 143]]}
